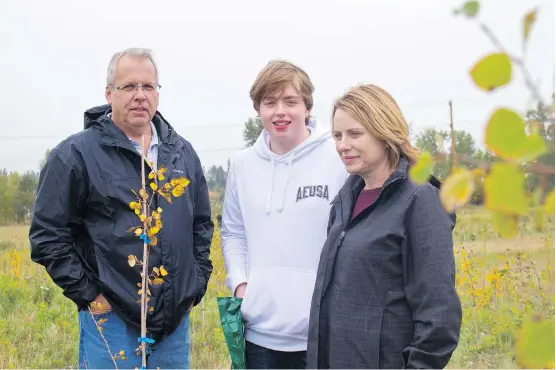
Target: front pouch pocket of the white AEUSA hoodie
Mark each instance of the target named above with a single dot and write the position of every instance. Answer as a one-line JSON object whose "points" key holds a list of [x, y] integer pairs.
{"points": [[278, 300]]}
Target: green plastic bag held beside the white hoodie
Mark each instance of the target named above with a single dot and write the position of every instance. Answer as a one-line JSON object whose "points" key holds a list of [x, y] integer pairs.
{"points": [[232, 327]]}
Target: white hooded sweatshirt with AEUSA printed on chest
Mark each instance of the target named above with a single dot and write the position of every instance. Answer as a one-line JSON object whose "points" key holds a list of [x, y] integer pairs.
{"points": [[274, 223]]}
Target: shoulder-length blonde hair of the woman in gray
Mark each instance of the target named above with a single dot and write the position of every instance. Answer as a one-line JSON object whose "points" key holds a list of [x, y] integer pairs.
{"points": [[379, 113]]}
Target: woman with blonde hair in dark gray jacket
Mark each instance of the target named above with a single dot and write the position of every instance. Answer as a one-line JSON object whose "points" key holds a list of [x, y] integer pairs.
{"points": [[385, 292]]}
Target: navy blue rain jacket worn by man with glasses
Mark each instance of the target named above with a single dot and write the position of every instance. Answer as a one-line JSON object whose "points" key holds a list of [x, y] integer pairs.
{"points": [[80, 225]]}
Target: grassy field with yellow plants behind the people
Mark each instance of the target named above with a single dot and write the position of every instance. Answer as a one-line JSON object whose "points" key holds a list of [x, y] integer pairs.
{"points": [[501, 284]]}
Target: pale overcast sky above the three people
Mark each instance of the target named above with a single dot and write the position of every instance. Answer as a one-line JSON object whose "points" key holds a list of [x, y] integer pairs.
{"points": [[55, 54]]}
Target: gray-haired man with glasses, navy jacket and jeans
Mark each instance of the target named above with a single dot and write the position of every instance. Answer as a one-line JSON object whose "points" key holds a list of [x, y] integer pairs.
{"points": [[81, 221]]}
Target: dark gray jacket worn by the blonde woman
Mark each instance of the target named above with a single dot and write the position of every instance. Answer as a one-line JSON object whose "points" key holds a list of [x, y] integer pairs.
{"points": [[385, 292]]}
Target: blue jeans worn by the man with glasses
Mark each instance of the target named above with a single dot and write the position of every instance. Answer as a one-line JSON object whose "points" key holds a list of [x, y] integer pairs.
{"points": [[172, 352]]}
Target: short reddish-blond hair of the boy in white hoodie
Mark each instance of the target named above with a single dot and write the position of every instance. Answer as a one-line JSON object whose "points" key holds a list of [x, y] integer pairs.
{"points": [[275, 76]]}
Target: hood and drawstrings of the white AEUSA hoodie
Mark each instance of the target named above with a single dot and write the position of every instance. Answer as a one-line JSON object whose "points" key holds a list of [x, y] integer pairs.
{"points": [[317, 136]]}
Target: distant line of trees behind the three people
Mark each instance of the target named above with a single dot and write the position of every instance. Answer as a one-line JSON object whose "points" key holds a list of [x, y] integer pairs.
{"points": [[17, 191]]}
